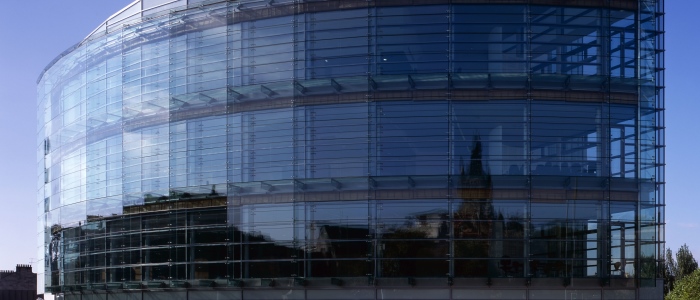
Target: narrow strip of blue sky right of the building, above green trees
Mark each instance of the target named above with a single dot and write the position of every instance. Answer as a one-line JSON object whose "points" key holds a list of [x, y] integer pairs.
{"points": [[682, 125]]}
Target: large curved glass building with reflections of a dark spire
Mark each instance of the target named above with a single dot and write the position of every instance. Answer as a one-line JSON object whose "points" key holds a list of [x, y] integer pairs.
{"points": [[356, 149]]}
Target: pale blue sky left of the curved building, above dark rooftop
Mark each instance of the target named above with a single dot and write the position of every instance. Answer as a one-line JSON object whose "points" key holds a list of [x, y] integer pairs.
{"points": [[32, 34]]}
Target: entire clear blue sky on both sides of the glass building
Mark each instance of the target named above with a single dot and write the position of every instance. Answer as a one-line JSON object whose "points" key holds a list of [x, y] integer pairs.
{"points": [[34, 32]]}
